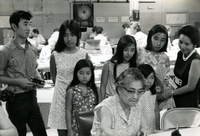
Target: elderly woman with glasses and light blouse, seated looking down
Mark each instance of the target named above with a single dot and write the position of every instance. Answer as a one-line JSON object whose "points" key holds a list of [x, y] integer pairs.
{"points": [[120, 115]]}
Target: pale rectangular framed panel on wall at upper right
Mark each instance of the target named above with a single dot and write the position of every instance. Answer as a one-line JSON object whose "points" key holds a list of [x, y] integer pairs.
{"points": [[176, 18]]}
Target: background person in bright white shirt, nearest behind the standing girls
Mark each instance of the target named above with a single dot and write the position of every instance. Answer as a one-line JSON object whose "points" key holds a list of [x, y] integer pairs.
{"points": [[140, 37]]}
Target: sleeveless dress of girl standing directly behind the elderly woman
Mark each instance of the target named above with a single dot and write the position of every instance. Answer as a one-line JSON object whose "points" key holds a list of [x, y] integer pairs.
{"points": [[110, 87]]}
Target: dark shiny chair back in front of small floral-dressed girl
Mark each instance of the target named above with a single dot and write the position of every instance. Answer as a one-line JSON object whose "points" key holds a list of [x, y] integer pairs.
{"points": [[84, 121]]}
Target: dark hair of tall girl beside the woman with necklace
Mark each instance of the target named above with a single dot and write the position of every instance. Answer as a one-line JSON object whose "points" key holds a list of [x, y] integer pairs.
{"points": [[157, 29]]}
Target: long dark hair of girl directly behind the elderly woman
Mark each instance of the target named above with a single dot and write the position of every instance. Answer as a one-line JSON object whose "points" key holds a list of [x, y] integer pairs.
{"points": [[124, 42]]}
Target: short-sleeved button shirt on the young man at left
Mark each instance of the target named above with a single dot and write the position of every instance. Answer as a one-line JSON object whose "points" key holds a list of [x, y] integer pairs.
{"points": [[17, 62]]}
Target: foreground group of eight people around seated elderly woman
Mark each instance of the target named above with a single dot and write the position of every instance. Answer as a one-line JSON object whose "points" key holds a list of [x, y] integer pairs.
{"points": [[135, 85]]}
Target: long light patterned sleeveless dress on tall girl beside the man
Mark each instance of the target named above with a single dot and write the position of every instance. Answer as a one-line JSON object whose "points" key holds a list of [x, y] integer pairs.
{"points": [[65, 64]]}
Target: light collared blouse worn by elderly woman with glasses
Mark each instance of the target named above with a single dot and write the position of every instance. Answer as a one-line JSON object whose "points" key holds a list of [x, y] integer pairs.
{"points": [[119, 122]]}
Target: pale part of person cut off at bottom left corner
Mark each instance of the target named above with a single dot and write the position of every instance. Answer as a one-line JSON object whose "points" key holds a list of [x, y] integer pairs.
{"points": [[6, 126]]}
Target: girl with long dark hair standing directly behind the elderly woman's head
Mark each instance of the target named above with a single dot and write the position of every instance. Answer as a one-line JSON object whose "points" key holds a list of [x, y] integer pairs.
{"points": [[124, 58]]}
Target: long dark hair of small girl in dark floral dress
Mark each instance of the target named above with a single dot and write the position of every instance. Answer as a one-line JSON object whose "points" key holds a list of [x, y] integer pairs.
{"points": [[82, 64]]}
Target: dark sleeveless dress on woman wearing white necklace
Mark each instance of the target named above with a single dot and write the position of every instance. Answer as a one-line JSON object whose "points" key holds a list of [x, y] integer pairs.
{"points": [[181, 72]]}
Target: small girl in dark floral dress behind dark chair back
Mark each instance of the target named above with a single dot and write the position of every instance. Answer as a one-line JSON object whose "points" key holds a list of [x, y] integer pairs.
{"points": [[82, 94]]}
